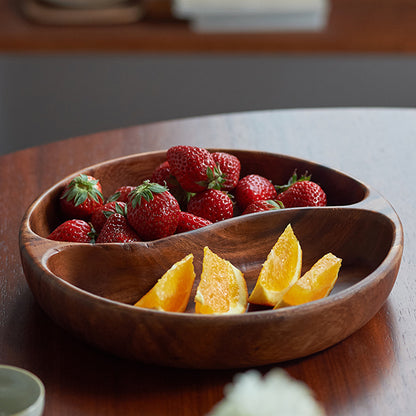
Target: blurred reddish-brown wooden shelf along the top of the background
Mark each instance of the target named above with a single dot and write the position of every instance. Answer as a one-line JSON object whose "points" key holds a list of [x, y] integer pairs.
{"points": [[354, 26]]}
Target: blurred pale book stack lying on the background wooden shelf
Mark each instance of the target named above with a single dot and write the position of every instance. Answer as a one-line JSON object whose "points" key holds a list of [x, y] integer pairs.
{"points": [[253, 15]]}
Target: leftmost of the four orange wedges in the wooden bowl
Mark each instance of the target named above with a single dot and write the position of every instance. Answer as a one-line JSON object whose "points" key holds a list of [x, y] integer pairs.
{"points": [[172, 291]]}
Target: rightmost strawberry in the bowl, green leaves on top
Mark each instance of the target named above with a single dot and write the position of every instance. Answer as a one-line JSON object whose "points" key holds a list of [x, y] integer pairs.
{"points": [[302, 192]]}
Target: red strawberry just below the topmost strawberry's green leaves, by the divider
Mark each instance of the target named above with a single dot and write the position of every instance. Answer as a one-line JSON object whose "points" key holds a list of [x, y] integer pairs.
{"points": [[212, 204]]}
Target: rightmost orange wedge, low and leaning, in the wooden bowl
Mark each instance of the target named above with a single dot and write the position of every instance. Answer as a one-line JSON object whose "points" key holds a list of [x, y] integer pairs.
{"points": [[315, 283]]}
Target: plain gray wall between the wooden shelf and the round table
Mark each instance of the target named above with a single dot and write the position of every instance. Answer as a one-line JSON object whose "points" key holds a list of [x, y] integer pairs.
{"points": [[46, 98]]}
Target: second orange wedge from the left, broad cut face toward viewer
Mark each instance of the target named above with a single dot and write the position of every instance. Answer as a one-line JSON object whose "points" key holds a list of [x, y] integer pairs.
{"points": [[222, 289]]}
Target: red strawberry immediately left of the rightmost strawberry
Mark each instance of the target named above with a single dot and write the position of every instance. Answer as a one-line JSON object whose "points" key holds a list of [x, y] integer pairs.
{"points": [[253, 188]]}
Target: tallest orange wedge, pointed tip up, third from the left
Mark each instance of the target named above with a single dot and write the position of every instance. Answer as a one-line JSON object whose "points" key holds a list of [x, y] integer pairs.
{"points": [[280, 271]]}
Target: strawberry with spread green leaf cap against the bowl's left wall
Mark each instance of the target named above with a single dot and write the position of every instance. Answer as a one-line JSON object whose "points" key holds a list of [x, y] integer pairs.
{"points": [[81, 197]]}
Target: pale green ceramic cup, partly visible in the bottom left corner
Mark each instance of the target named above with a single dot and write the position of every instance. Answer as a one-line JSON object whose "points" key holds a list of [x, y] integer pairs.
{"points": [[21, 392]]}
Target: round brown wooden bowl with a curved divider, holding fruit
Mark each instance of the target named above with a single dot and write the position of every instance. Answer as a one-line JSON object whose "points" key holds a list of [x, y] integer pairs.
{"points": [[90, 289]]}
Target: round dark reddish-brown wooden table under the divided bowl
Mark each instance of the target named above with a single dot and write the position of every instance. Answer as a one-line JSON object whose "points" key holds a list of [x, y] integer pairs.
{"points": [[373, 372]]}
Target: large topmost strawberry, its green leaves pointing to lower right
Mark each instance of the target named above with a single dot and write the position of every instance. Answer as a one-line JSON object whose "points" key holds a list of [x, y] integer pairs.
{"points": [[194, 168]]}
